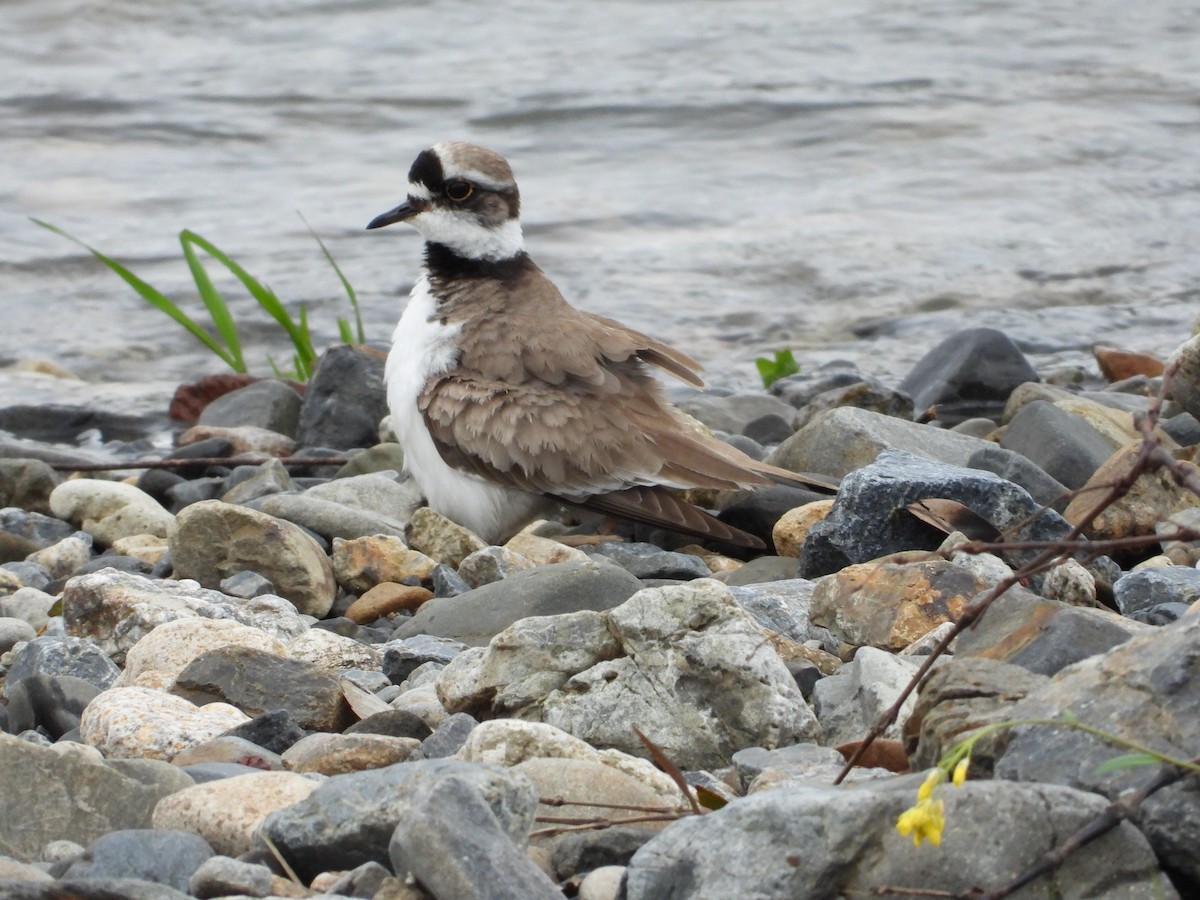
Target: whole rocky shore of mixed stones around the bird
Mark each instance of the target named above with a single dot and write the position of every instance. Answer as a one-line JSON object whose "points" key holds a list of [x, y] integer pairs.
{"points": [[267, 670]]}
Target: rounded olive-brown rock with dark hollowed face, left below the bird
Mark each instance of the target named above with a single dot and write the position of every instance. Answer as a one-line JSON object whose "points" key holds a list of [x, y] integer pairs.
{"points": [[213, 541]]}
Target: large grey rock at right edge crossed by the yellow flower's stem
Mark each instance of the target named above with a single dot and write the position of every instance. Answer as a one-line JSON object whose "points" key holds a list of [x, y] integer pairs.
{"points": [[1147, 691]]}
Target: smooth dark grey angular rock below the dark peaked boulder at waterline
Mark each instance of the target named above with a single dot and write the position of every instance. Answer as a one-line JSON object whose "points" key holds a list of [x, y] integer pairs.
{"points": [[1063, 445]]}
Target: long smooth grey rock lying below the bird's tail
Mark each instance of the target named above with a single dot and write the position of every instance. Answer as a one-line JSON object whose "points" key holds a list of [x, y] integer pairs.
{"points": [[479, 615]]}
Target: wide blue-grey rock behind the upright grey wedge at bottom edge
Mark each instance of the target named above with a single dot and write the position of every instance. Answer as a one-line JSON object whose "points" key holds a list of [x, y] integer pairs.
{"points": [[350, 820]]}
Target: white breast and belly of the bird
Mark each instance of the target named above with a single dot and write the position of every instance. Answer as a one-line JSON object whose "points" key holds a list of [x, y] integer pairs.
{"points": [[423, 347]]}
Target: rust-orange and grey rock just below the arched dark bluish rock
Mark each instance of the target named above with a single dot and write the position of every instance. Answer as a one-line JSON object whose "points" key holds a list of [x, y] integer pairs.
{"points": [[890, 605]]}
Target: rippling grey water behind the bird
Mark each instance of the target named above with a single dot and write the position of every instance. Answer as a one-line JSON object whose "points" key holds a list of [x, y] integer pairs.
{"points": [[853, 181]]}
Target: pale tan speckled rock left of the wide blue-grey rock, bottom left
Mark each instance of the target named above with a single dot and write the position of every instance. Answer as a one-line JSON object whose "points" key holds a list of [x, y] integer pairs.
{"points": [[230, 812]]}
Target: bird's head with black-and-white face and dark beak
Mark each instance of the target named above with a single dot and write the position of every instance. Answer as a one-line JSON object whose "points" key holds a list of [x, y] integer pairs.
{"points": [[463, 197]]}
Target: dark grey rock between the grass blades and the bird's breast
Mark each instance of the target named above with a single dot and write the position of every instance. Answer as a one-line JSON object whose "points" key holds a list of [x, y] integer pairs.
{"points": [[345, 401]]}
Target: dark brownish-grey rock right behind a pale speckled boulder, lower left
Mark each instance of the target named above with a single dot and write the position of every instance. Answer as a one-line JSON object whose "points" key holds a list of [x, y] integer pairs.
{"points": [[259, 682]]}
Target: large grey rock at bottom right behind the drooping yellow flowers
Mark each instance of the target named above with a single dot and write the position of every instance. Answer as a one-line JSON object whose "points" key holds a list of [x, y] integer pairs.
{"points": [[818, 843]]}
